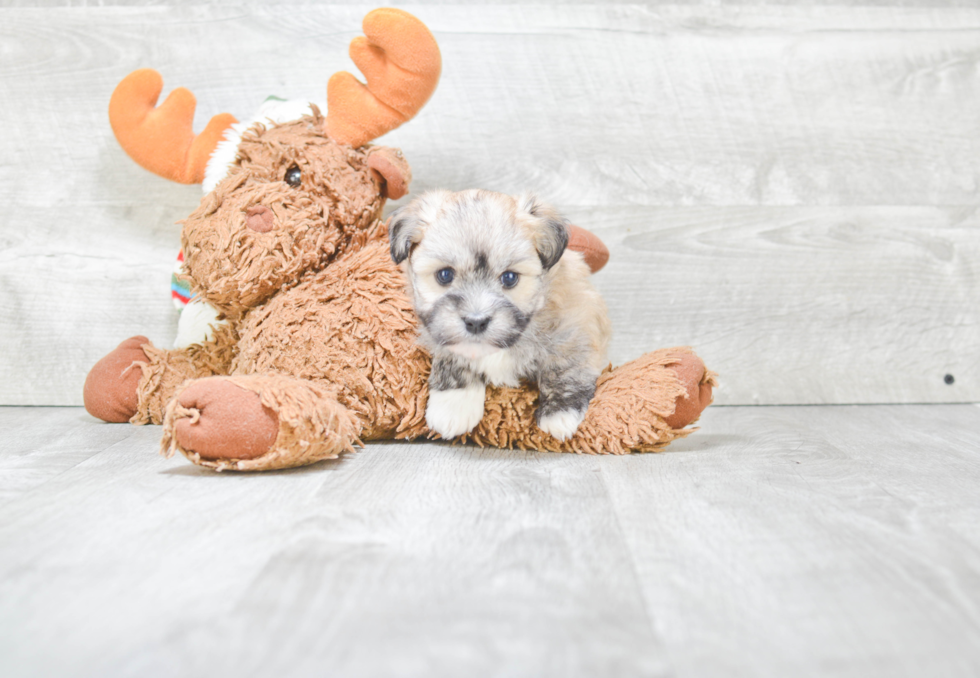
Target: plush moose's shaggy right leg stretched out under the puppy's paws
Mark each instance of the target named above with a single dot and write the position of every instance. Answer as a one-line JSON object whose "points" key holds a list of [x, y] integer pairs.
{"points": [[640, 406]]}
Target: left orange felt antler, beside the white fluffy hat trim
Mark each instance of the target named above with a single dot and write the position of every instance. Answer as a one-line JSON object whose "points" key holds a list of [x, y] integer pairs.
{"points": [[162, 139]]}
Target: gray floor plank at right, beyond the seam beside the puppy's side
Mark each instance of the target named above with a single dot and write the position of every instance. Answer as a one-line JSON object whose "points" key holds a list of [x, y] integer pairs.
{"points": [[813, 541]]}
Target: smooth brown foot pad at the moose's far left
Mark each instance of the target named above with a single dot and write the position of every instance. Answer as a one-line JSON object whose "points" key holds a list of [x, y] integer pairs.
{"points": [[110, 387]]}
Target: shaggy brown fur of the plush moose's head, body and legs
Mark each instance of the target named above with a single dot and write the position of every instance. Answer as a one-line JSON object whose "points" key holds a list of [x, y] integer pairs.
{"points": [[320, 353]]}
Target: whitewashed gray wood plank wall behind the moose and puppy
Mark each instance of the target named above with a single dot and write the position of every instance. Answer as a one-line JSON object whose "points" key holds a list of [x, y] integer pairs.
{"points": [[790, 188]]}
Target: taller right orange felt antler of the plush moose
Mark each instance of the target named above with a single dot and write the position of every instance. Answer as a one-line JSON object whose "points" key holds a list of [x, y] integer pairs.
{"points": [[400, 61]]}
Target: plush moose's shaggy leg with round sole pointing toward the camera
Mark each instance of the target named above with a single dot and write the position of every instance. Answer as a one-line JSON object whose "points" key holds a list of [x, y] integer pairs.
{"points": [[258, 422]]}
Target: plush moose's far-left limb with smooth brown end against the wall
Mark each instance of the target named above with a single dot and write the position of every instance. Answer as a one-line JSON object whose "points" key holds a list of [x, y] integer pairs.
{"points": [[136, 380]]}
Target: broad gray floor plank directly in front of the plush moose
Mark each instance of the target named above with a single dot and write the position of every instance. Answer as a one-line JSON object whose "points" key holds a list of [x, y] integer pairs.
{"points": [[402, 560]]}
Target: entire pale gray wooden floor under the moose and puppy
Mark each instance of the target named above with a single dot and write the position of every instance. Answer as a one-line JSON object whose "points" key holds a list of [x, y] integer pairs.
{"points": [[779, 541]]}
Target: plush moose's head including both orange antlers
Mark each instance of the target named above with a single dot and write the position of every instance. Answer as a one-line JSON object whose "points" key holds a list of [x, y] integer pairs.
{"points": [[294, 194]]}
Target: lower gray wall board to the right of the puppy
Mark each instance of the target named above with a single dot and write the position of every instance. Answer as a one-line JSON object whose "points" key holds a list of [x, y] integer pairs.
{"points": [[801, 304]]}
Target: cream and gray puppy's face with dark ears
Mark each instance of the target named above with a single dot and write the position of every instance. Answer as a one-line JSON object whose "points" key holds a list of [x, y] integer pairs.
{"points": [[477, 263]]}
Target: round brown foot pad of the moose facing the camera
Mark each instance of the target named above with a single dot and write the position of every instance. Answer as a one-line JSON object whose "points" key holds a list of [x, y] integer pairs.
{"points": [[226, 421]]}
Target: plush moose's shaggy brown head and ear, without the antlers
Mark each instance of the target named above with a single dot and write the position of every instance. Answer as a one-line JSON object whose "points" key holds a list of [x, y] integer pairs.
{"points": [[293, 200]]}
